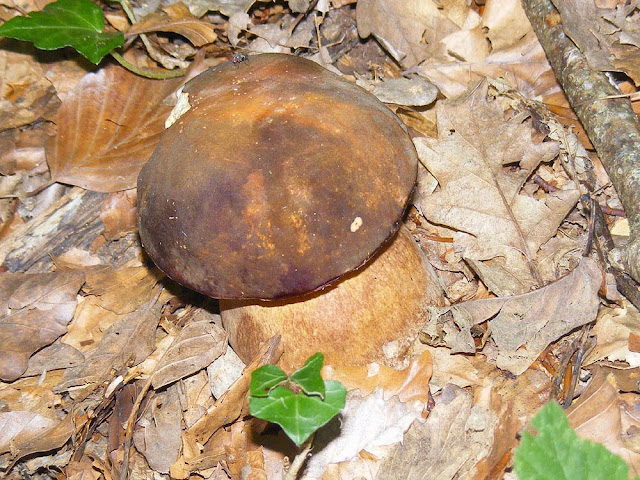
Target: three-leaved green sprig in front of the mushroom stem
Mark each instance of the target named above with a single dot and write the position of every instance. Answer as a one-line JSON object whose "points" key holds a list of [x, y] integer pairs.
{"points": [[300, 403]]}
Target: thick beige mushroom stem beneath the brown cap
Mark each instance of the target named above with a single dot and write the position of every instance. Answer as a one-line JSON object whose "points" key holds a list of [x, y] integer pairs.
{"points": [[371, 315]]}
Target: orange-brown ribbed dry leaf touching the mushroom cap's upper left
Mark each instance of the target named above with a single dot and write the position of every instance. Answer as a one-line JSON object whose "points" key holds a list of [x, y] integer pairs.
{"points": [[108, 126]]}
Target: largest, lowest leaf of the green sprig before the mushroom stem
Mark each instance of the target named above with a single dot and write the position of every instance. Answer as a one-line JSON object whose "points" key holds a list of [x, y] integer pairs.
{"points": [[299, 414]]}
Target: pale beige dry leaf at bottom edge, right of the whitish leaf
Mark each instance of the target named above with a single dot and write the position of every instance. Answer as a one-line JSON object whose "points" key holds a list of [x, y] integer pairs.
{"points": [[455, 436]]}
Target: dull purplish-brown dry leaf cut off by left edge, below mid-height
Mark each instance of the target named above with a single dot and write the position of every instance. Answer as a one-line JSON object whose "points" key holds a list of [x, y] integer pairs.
{"points": [[36, 309]]}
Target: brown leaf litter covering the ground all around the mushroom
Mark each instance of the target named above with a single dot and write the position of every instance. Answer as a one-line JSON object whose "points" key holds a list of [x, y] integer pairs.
{"points": [[96, 335]]}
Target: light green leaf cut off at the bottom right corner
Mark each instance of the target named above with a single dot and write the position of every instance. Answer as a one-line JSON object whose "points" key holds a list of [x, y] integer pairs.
{"points": [[557, 452]]}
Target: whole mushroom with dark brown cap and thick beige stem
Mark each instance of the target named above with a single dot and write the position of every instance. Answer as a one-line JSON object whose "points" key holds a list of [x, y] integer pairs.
{"points": [[278, 192]]}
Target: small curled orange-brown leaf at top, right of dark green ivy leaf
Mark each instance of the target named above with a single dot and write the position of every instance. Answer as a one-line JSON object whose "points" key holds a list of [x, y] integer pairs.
{"points": [[177, 19]]}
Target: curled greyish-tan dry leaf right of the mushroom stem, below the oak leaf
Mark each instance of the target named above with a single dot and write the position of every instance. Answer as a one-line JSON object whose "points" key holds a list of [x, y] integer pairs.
{"points": [[523, 325]]}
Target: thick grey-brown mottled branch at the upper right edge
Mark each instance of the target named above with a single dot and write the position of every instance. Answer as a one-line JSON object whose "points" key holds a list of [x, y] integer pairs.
{"points": [[610, 123]]}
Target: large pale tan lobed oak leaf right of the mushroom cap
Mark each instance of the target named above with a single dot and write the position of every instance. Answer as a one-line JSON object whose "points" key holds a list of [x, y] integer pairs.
{"points": [[481, 161]]}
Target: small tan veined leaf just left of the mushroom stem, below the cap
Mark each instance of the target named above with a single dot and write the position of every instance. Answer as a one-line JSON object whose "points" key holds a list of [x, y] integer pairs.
{"points": [[198, 344]]}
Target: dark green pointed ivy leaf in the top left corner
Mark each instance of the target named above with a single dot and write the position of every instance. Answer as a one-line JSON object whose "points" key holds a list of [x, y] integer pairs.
{"points": [[66, 23]]}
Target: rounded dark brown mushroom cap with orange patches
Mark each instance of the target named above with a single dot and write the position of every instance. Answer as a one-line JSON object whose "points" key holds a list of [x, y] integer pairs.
{"points": [[279, 179]]}
